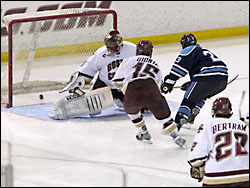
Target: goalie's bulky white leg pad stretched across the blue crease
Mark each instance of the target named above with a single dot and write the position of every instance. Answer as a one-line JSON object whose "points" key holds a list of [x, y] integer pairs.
{"points": [[75, 106]]}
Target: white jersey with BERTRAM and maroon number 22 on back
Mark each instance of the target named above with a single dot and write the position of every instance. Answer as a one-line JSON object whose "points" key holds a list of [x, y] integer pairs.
{"points": [[224, 145]]}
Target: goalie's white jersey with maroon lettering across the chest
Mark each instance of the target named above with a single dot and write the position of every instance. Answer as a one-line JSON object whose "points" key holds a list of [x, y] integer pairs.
{"points": [[106, 65]]}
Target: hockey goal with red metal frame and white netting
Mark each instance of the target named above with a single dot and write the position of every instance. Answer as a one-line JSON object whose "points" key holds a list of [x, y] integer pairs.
{"points": [[45, 48]]}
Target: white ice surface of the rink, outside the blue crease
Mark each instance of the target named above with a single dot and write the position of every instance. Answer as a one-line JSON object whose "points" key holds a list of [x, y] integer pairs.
{"points": [[106, 153]]}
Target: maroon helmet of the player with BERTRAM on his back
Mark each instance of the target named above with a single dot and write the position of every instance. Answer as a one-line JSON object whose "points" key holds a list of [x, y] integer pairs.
{"points": [[222, 107]]}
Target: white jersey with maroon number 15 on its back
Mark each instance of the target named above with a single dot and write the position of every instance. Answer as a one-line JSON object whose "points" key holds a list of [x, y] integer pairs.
{"points": [[137, 67]]}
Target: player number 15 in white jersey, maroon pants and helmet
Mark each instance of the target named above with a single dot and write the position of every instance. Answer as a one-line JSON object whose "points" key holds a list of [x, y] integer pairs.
{"points": [[139, 77]]}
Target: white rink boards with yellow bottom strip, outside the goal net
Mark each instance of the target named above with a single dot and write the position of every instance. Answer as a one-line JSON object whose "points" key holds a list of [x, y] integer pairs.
{"points": [[161, 22]]}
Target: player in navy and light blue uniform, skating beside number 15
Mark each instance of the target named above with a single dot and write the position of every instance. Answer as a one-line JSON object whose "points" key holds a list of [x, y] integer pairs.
{"points": [[208, 75]]}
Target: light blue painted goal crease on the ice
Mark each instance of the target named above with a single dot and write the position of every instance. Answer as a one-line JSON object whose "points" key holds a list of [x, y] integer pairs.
{"points": [[41, 111]]}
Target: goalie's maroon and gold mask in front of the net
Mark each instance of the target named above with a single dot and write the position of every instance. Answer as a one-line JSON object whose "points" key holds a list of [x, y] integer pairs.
{"points": [[113, 42]]}
